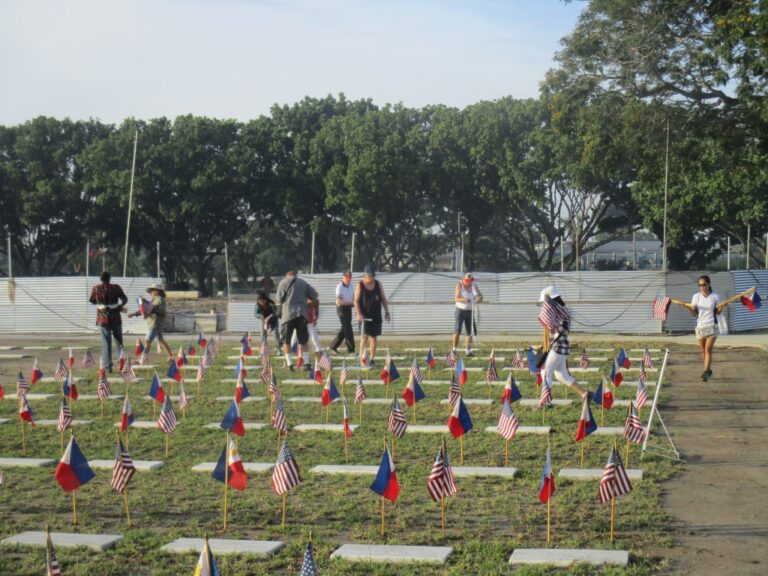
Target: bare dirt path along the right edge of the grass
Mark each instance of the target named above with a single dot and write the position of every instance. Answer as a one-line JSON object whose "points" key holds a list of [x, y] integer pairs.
{"points": [[720, 502]]}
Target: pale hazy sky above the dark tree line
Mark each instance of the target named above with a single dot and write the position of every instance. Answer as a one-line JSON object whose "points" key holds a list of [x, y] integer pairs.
{"points": [[112, 59]]}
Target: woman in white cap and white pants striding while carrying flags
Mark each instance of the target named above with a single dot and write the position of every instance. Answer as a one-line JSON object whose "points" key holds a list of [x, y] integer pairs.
{"points": [[559, 347]]}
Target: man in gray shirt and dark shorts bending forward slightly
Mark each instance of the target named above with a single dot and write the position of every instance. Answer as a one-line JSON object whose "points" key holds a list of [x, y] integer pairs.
{"points": [[292, 295]]}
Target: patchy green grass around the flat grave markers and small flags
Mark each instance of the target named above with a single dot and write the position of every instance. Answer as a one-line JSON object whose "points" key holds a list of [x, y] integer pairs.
{"points": [[487, 519]]}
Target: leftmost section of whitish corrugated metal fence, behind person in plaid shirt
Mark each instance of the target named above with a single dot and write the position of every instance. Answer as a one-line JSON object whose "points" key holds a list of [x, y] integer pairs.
{"points": [[60, 304]]}
